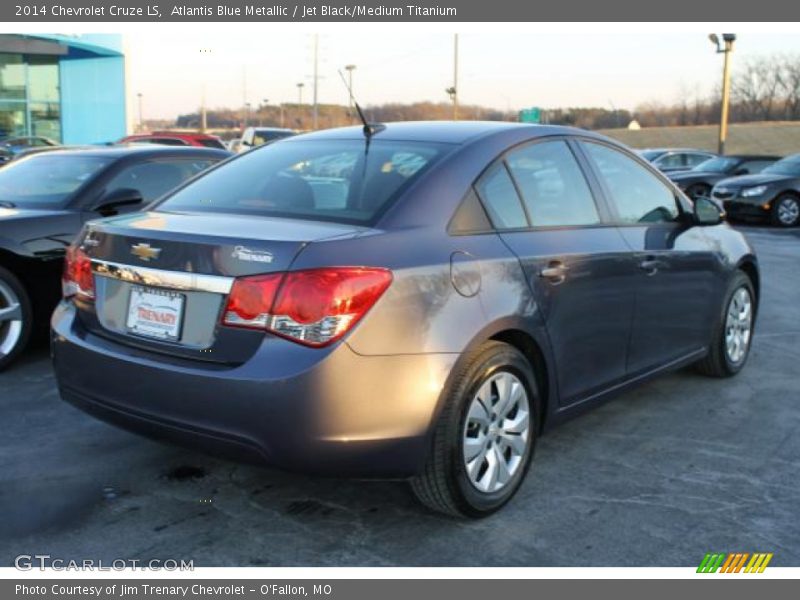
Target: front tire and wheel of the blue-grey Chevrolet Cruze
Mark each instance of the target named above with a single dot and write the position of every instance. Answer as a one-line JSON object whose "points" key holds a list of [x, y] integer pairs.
{"points": [[736, 321]]}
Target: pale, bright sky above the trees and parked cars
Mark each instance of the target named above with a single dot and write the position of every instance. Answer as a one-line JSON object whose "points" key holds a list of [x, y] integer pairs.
{"points": [[505, 71]]}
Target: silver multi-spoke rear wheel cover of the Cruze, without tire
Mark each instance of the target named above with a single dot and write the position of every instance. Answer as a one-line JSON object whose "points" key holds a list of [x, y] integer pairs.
{"points": [[496, 432]]}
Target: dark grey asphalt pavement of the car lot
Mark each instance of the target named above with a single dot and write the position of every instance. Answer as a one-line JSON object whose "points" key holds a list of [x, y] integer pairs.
{"points": [[681, 466]]}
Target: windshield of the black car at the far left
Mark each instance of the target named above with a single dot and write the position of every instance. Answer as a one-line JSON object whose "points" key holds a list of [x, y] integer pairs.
{"points": [[47, 180]]}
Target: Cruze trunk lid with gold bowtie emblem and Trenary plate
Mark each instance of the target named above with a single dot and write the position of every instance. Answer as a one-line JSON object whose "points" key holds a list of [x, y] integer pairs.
{"points": [[161, 279]]}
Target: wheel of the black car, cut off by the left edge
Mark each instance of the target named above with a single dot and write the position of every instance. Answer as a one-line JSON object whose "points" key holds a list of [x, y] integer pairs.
{"points": [[16, 318]]}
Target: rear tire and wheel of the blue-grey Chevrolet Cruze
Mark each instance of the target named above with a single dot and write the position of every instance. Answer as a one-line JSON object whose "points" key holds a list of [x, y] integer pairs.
{"points": [[468, 427]]}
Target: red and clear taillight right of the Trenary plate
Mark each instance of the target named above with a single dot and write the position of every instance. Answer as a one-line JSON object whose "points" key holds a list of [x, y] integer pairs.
{"points": [[313, 307]]}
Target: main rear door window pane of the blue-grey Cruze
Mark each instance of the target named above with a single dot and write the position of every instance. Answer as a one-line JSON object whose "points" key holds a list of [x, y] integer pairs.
{"points": [[552, 185]]}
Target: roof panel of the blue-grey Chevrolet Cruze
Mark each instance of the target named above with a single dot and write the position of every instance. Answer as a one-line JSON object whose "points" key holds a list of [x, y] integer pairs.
{"points": [[449, 132]]}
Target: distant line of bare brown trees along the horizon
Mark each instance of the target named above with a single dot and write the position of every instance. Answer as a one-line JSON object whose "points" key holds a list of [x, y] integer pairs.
{"points": [[763, 89]]}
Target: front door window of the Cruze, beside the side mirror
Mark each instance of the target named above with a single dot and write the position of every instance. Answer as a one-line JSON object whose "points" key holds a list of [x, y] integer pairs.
{"points": [[638, 195]]}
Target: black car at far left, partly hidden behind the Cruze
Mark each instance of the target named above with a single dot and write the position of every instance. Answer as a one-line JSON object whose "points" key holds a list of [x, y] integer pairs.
{"points": [[44, 201]]}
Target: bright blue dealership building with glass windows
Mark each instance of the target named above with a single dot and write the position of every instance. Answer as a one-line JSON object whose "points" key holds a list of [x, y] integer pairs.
{"points": [[70, 88]]}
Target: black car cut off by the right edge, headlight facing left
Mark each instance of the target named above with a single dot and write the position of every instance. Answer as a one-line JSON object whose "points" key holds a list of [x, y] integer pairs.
{"points": [[773, 194]]}
